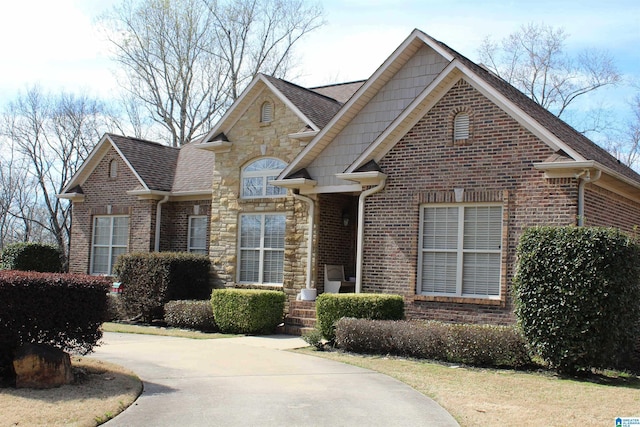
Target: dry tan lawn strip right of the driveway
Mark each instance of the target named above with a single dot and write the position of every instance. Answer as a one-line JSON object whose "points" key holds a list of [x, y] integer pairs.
{"points": [[488, 397]]}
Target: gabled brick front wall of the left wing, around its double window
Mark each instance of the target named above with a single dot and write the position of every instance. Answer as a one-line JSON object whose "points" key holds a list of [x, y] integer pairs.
{"points": [[104, 195]]}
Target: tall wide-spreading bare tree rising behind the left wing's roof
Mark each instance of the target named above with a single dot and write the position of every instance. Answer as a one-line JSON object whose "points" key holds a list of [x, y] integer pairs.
{"points": [[187, 60]]}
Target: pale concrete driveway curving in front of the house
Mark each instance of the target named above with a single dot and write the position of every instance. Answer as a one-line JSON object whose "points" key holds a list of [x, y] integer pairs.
{"points": [[250, 381]]}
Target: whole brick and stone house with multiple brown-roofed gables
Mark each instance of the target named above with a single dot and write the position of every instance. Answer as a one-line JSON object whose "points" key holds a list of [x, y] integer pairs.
{"points": [[418, 181]]}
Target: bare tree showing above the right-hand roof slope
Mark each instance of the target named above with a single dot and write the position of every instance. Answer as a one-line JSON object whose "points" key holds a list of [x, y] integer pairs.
{"points": [[533, 60]]}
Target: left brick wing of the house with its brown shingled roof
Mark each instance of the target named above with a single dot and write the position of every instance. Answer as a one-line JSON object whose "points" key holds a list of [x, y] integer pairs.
{"points": [[123, 187]]}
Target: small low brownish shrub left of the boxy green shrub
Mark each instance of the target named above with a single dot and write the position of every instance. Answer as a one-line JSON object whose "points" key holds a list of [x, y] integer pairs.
{"points": [[190, 314]]}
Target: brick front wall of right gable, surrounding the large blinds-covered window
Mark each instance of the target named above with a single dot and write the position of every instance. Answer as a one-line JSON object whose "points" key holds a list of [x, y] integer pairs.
{"points": [[495, 165]]}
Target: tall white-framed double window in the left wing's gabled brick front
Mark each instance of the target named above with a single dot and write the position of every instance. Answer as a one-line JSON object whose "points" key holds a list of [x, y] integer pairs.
{"points": [[110, 239]]}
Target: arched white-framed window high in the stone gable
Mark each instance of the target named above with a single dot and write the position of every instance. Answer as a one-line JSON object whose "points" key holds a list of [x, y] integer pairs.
{"points": [[256, 178]]}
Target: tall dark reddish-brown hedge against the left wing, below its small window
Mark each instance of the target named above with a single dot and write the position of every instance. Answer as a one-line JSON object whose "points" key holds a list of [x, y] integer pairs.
{"points": [[150, 280]]}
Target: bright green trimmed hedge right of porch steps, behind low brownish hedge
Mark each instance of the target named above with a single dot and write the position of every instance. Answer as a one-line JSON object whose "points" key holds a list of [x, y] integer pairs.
{"points": [[332, 307]]}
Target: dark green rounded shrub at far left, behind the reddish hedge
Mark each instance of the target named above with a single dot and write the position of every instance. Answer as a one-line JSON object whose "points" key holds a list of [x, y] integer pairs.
{"points": [[31, 257]]}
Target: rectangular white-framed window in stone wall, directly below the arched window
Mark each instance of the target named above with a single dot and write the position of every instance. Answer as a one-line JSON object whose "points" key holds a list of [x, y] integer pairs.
{"points": [[261, 248]]}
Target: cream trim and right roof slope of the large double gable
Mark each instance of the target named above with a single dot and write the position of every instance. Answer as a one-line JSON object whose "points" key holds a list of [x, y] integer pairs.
{"points": [[546, 126]]}
